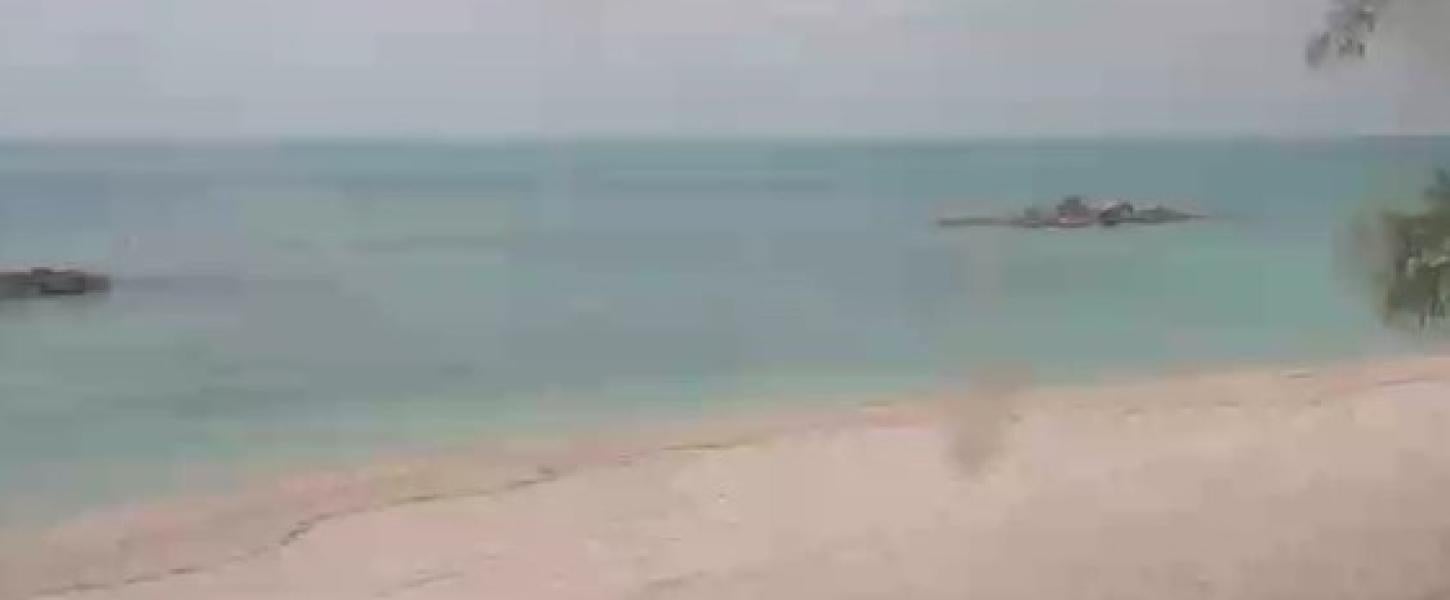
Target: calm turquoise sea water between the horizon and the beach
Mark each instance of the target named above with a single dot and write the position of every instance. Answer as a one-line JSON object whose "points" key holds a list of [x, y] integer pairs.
{"points": [[308, 302]]}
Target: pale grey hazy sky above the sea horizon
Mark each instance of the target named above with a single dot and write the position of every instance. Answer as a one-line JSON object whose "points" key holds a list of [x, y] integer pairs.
{"points": [[701, 67]]}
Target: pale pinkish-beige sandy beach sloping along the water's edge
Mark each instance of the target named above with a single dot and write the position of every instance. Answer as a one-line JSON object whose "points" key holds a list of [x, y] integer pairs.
{"points": [[1277, 483]]}
